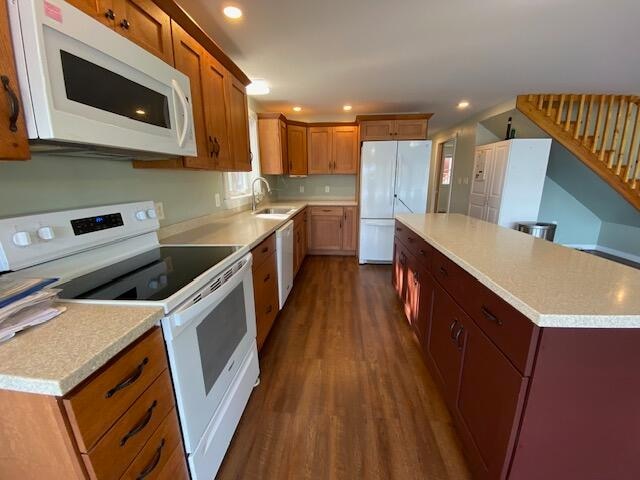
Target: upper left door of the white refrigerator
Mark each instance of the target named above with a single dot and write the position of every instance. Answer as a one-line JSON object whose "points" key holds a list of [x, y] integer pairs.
{"points": [[377, 179]]}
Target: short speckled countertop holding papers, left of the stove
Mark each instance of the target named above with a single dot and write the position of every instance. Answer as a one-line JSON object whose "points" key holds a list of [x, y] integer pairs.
{"points": [[55, 357]]}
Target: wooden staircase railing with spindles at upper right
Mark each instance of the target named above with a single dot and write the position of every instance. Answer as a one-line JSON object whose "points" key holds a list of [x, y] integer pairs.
{"points": [[602, 130]]}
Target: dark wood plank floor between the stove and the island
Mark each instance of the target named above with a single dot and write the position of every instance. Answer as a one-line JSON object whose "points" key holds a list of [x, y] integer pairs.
{"points": [[344, 393]]}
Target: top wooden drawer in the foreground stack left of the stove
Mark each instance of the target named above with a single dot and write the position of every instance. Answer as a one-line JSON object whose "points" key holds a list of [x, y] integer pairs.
{"points": [[113, 389]]}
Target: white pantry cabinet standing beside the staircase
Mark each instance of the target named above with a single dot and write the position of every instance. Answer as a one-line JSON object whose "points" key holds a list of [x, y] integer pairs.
{"points": [[507, 181]]}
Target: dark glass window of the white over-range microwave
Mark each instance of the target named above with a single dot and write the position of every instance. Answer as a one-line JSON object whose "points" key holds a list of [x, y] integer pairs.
{"points": [[95, 86]]}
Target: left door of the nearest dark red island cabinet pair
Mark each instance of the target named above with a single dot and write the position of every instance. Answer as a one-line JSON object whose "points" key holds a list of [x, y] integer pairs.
{"points": [[446, 342]]}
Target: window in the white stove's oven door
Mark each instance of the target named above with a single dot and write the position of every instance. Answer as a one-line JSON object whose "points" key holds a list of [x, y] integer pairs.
{"points": [[220, 333]]}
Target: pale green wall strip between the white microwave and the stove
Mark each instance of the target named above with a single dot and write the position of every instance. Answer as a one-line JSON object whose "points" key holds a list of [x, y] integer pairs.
{"points": [[56, 183]]}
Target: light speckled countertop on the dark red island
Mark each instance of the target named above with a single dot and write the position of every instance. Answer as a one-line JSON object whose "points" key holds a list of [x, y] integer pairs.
{"points": [[554, 286]]}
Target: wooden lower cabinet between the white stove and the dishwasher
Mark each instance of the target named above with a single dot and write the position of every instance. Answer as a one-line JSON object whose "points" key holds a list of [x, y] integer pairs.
{"points": [[265, 287]]}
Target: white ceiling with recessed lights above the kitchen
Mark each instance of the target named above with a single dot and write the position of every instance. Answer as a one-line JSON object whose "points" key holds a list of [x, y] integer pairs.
{"points": [[386, 56]]}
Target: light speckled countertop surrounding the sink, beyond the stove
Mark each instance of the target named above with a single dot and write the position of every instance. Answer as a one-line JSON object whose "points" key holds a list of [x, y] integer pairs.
{"points": [[244, 228]]}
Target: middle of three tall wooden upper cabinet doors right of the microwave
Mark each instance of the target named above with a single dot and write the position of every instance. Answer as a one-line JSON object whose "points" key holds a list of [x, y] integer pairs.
{"points": [[216, 113]]}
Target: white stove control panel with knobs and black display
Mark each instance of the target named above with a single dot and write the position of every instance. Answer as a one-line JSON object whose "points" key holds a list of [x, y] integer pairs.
{"points": [[32, 239]]}
